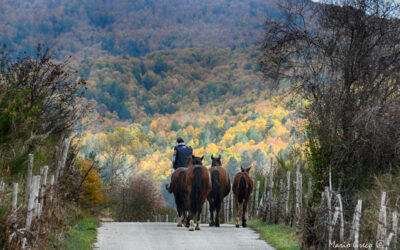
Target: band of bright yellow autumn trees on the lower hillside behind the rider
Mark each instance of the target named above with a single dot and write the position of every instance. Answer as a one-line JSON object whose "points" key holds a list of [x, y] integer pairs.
{"points": [[136, 142]]}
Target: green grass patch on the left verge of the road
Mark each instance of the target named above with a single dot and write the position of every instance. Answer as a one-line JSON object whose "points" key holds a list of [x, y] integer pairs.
{"points": [[82, 235]]}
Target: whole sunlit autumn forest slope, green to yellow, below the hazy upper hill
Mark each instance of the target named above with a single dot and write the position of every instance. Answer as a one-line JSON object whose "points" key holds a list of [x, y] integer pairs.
{"points": [[214, 98]]}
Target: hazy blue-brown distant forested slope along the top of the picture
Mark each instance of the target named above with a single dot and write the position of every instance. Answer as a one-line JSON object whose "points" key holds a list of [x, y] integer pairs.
{"points": [[125, 27]]}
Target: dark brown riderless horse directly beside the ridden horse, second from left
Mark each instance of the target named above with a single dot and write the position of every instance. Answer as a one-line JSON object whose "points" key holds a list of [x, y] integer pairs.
{"points": [[197, 186]]}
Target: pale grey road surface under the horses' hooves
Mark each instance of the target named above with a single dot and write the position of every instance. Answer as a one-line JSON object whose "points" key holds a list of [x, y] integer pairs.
{"points": [[121, 236]]}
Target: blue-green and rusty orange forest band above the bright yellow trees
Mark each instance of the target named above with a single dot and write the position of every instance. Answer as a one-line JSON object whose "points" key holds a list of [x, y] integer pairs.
{"points": [[128, 88]]}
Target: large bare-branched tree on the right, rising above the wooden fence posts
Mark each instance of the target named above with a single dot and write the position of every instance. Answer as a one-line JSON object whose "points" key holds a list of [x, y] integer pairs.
{"points": [[344, 58]]}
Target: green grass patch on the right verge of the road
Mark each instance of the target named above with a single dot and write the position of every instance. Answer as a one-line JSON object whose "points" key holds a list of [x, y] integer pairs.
{"points": [[279, 236]]}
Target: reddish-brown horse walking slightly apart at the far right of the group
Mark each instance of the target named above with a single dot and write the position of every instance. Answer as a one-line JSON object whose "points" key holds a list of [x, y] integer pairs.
{"points": [[242, 188]]}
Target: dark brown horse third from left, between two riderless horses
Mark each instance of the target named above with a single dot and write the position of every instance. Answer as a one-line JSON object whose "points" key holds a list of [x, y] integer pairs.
{"points": [[221, 186]]}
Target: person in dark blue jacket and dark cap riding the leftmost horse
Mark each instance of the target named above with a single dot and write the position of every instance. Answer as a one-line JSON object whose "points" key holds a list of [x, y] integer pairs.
{"points": [[182, 154]]}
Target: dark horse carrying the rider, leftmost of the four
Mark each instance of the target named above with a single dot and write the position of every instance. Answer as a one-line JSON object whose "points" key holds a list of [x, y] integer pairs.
{"points": [[180, 196]]}
